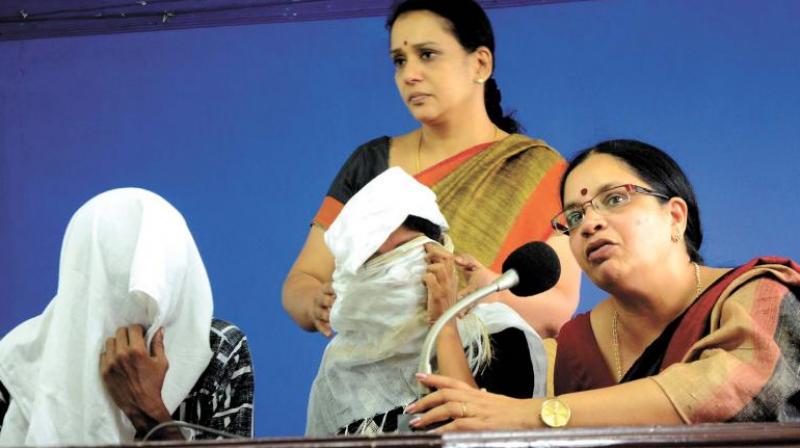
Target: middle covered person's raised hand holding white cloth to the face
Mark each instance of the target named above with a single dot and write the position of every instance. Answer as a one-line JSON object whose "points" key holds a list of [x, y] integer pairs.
{"points": [[440, 280]]}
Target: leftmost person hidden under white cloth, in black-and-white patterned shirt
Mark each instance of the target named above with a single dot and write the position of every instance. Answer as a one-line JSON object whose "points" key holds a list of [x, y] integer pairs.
{"points": [[128, 341]]}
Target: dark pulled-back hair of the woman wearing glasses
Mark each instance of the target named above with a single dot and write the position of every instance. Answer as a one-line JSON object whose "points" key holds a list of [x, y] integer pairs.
{"points": [[661, 172]]}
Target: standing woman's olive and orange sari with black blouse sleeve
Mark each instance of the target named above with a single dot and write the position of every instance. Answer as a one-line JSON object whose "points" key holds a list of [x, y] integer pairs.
{"points": [[495, 196]]}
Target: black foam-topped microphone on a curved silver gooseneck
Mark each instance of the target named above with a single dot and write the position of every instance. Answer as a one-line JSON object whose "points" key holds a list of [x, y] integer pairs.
{"points": [[529, 270]]}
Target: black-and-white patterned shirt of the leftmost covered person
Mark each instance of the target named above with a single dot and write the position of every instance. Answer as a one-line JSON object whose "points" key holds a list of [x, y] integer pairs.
{"points": [[222, 398]]}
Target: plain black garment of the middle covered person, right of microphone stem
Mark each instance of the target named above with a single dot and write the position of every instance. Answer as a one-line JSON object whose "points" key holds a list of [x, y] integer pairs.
{"points": [[510, 372]]}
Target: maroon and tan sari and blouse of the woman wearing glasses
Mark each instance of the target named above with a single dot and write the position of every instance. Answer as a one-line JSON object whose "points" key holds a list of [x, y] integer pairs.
{"points": [[734, 355]]}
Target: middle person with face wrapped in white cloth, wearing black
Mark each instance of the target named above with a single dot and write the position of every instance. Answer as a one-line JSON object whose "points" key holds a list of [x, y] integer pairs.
{"points": [[395, 275]]}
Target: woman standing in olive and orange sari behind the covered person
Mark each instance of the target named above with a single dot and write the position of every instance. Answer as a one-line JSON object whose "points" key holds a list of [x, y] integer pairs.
{"points": [[496, 188]]}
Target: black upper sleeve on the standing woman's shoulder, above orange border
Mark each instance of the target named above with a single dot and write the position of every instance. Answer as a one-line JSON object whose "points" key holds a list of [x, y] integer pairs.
{"points": [[366, 162]]}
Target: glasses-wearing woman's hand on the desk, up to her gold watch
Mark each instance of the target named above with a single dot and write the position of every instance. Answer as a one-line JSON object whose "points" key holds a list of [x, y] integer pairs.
{"points": [[469, 409]]}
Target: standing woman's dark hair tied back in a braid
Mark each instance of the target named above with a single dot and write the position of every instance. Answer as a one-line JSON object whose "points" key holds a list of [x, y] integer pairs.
{"points": [[471, 27]]}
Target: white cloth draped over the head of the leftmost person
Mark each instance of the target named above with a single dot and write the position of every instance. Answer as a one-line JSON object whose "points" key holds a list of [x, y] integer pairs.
{"points": [[127, 258]]}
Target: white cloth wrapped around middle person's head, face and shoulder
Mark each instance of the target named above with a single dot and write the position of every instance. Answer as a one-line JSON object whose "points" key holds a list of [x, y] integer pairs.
{"points": [[380, 315]]}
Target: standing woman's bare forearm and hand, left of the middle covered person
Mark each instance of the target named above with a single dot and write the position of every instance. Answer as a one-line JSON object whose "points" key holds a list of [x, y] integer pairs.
{"points": [[307, 293]]}
